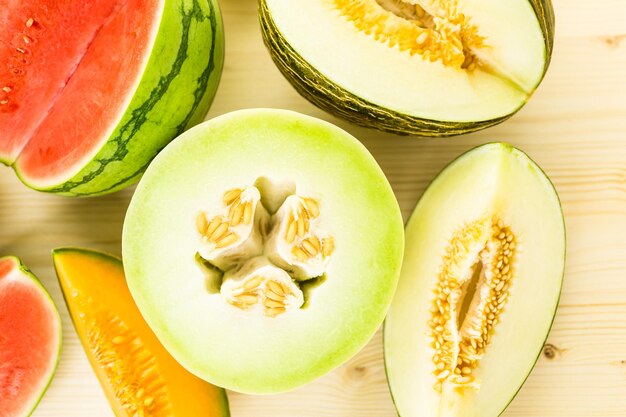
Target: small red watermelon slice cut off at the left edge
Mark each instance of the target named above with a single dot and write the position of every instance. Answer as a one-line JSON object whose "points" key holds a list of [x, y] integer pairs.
{"points": [[30, 339]]}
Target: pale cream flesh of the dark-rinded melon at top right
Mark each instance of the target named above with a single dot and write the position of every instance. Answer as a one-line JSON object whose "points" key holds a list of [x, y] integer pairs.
{"points": [[391, 79]]}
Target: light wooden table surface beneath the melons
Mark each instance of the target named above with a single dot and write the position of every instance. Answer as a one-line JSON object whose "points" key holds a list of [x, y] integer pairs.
{"points": [[574, 127]]}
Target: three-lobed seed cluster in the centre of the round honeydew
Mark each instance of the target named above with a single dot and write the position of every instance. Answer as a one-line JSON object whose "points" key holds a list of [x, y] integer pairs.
{"points": [[264, 255]]}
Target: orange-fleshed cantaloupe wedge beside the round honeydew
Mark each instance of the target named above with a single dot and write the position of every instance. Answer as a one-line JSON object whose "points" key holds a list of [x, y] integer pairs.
{"points": [[137, 374]]}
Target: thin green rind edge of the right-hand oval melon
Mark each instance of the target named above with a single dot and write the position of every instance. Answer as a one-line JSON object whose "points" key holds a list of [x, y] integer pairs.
{"points": [[509, 148]]}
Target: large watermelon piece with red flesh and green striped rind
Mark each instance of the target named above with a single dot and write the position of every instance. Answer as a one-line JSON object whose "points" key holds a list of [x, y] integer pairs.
{"points": [[91, 91]]}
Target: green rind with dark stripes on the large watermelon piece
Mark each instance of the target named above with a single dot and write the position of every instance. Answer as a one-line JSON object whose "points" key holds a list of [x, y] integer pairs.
{"points": [[174, 94]]}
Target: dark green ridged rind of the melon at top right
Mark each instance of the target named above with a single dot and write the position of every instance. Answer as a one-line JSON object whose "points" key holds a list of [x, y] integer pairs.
{"points": [[334, 99]]}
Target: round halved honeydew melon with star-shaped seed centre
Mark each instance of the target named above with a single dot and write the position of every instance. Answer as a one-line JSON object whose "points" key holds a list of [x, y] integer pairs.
{"points": [[263, 248]]}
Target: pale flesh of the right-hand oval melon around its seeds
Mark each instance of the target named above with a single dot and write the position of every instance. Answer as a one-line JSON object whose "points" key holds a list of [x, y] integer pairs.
{"points": [[495, 179]]}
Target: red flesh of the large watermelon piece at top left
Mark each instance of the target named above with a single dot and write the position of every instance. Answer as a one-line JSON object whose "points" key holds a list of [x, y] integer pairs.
{"points": [[68, 71]]}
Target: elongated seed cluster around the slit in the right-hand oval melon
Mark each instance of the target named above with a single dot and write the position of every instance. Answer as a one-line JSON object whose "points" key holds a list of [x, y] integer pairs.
{"points": [[460, 341]]}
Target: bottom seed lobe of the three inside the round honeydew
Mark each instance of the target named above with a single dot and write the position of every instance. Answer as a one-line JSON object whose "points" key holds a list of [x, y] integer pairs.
{"points": [[260, 286]]}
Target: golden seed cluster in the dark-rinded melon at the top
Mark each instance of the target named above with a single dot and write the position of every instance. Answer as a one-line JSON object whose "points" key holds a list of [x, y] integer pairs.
{"points": [[433, 29]]}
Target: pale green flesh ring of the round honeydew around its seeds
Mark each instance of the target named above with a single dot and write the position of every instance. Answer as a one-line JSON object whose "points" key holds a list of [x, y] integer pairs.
{"points": [[237, 349]]}
